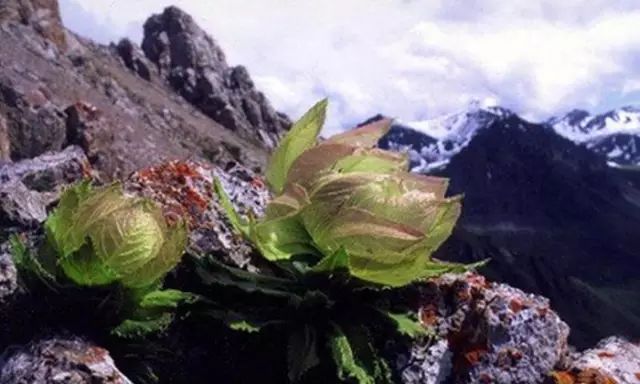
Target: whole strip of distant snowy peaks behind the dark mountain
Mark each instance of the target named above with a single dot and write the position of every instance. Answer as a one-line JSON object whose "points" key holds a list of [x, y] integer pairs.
{"points": [[614, 135]]}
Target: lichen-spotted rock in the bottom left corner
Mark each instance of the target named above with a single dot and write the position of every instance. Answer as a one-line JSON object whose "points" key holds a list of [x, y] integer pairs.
{"points": [[57, 361]]}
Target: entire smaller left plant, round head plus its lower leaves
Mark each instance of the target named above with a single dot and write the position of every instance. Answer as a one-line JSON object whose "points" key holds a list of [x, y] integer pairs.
{"points": [[100, 238]]}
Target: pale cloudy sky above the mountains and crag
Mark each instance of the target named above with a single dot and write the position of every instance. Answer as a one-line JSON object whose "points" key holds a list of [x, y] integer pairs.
{"points": [[409, 59]]}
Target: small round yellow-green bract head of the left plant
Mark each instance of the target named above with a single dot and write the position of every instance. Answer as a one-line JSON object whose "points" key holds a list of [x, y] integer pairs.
{"points": [[102, 237]]}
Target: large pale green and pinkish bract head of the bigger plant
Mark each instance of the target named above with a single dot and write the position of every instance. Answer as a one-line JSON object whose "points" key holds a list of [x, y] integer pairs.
{"points": [[354, 206]]}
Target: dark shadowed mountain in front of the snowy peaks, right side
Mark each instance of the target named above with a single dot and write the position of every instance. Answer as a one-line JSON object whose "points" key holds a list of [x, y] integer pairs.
{"points": [[554, 219]]}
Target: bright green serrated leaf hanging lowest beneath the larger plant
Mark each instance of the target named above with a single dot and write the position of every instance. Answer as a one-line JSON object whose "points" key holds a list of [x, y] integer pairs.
{"points": [[346, 364]]}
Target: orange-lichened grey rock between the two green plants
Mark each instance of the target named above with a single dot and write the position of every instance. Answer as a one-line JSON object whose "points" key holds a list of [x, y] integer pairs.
{"points": [[185, 188]]}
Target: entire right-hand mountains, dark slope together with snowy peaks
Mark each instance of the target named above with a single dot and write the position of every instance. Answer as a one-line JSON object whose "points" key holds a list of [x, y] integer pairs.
{"points": [[545, 204]]}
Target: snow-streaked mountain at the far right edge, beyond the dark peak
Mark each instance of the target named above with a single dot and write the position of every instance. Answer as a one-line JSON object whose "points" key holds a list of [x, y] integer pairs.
{"points": [[614, 134]]}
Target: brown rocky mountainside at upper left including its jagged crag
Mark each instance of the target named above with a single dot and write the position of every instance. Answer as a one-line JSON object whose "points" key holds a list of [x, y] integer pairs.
{"points": [[57, 89]]}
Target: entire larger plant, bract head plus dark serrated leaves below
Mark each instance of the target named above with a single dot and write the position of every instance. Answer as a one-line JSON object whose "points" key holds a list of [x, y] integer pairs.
{"points": [[348, 231]]}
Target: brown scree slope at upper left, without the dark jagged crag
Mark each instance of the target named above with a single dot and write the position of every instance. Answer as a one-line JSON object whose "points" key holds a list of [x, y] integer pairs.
{"points": [[124, 122]]}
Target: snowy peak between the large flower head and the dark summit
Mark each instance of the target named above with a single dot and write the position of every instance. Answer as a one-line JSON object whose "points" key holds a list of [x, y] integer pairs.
{"points": [[432, 143]]}
